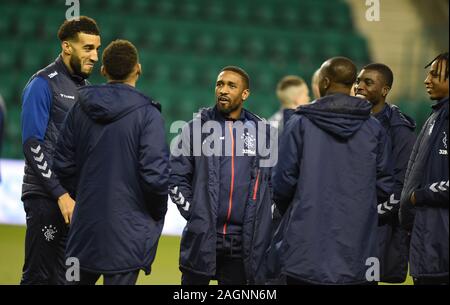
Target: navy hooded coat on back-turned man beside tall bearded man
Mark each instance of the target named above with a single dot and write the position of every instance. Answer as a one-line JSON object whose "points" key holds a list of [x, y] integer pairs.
{"points": [[113, 157]]}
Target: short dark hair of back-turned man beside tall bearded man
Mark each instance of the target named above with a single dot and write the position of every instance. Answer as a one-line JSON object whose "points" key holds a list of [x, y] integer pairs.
{"points": [[119, 58]]}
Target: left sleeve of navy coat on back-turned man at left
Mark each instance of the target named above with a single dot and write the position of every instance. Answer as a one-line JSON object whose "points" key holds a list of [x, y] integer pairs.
{"points": [[64, 162]]}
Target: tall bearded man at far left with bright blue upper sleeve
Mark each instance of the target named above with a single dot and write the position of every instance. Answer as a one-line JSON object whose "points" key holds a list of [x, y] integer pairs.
{"points": [[47, 97]]}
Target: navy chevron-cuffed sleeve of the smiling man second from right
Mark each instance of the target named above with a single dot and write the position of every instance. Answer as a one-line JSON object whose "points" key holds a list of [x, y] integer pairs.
{"points": [[403, 139]]}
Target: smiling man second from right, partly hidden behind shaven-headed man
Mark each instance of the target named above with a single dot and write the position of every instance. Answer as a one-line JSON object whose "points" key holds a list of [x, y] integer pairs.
{"points": [[373, 84]]}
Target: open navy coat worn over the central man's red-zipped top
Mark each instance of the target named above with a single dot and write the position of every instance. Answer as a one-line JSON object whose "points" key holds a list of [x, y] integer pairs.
{"points": [[194, 186]]}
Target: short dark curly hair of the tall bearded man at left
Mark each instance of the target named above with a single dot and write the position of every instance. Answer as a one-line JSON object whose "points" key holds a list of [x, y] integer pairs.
{"points": [[70, 28]]}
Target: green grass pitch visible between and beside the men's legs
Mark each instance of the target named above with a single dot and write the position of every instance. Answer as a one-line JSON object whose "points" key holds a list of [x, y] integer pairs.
{"points": [[164, 269]]}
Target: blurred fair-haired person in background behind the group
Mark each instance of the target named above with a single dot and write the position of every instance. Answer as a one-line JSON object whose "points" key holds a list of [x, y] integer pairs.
{"points": [[292, 92]]}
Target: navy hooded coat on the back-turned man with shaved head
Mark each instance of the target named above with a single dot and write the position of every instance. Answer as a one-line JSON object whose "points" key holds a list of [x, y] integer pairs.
{"points": [[332, 171]]}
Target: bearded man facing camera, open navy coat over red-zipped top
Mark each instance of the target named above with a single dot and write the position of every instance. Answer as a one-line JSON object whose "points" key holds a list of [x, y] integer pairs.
{"points": [[224, 194]]}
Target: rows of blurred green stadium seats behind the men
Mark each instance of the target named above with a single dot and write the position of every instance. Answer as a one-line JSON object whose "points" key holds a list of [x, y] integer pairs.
{"points": [[183, 45]]}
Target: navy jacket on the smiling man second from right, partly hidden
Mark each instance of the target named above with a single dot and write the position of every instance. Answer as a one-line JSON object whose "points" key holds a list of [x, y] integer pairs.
{"points": [[394, 240]]}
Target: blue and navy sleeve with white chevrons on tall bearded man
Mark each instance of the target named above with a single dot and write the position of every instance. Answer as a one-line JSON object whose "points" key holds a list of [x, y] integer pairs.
{"points": [[36, 105]]}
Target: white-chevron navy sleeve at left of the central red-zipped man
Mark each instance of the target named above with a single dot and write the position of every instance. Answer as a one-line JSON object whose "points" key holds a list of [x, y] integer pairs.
{"points": [[182, 171]]}
